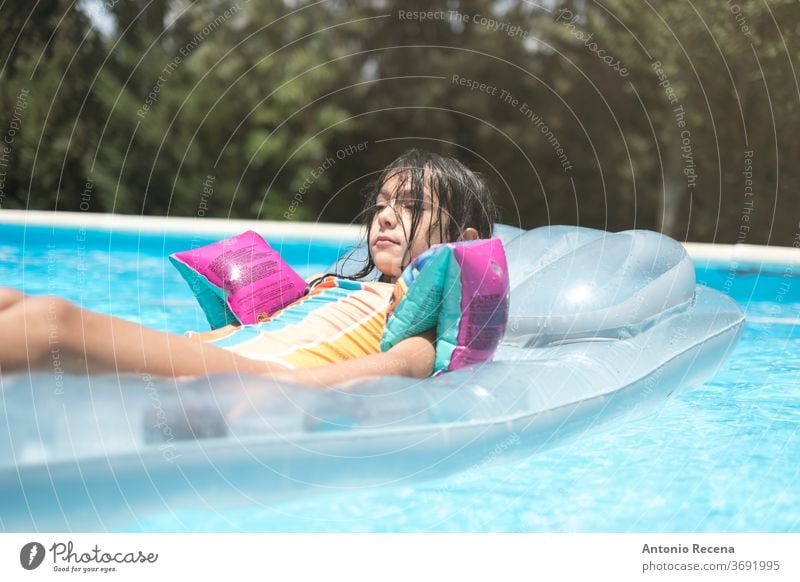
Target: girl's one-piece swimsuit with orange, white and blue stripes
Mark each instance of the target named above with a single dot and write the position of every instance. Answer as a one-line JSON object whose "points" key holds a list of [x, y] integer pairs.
{"points": [[337, 320]]}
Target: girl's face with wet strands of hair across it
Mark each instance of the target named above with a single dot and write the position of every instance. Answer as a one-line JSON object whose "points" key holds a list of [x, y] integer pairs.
{"points": [[389, 246]]}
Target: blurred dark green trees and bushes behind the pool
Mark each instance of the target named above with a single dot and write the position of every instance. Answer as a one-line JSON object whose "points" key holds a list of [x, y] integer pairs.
{"points": [[659, 109]]}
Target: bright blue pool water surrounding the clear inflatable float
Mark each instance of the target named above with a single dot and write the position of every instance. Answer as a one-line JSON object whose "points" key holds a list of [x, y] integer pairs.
{"points": [[724, 456]]}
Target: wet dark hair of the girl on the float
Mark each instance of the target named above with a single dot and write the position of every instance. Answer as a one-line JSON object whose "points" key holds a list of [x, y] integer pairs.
{"points": [[464, 199]]}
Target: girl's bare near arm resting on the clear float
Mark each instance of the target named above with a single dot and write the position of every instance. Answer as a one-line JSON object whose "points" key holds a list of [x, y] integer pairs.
{"points": [[412, 357]]}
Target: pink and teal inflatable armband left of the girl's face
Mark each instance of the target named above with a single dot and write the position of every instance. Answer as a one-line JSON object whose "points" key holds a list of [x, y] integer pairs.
{"points": [[239, 279]]}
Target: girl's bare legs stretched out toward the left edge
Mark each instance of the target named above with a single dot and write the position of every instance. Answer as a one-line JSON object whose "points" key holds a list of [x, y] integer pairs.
{"points": [[37, 331]]}
